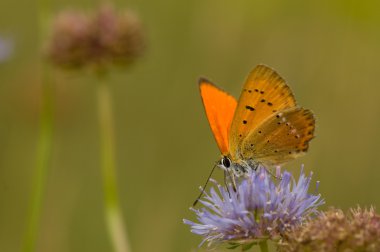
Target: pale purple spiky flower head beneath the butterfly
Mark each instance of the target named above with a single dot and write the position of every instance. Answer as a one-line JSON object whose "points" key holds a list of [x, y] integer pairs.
{"points": [[259, 209]]}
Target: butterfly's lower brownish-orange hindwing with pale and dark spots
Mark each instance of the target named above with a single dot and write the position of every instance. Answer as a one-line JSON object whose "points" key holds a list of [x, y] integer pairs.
{"points": [[282, 137]]}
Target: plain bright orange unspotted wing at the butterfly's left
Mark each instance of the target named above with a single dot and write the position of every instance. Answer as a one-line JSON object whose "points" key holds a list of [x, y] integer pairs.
{"points": [[220, 108]]}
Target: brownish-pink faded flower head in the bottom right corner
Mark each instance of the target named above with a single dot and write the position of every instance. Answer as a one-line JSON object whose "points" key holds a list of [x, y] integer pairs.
{"points": [[333, 230]]}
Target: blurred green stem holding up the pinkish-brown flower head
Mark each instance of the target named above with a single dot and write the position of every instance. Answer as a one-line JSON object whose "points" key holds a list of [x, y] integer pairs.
{"points": [[114, 218]]}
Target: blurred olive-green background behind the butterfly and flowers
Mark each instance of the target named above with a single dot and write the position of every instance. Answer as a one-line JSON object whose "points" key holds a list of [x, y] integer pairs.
{"points": [[328, 51]]}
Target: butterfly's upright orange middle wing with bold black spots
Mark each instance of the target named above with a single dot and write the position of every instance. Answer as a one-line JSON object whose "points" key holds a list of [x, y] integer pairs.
{"points": [[264, 94]]}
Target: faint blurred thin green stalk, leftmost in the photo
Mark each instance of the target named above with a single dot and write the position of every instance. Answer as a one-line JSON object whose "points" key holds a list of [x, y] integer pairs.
{"points": [[44, 143]]}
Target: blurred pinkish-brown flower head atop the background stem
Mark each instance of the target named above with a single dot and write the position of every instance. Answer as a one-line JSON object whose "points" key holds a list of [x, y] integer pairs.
{"points": [[97, 39]]}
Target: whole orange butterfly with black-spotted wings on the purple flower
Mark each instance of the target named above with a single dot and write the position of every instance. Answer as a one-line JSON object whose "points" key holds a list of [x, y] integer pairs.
{"points": [[265, 127]]}
